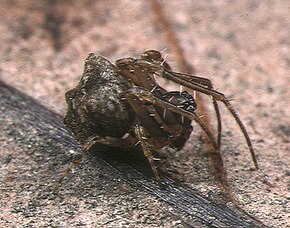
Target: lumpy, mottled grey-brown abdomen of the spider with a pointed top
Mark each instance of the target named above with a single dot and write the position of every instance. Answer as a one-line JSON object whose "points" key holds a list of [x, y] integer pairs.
{"points": [[95, 107]]}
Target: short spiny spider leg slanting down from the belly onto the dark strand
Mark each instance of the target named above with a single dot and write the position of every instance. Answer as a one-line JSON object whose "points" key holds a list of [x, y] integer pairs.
{"points": [[147, 148]]}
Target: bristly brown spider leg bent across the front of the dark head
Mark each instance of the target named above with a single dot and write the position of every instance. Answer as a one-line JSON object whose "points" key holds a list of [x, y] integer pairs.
{"points": [[138, 94]]}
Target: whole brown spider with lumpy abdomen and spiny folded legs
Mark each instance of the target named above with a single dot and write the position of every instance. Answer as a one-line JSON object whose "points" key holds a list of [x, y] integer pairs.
{"points": [[123, 106]]}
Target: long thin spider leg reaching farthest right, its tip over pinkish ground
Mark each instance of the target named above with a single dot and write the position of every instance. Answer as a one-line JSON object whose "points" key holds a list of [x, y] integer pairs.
{"points": [[216, 96]]}
